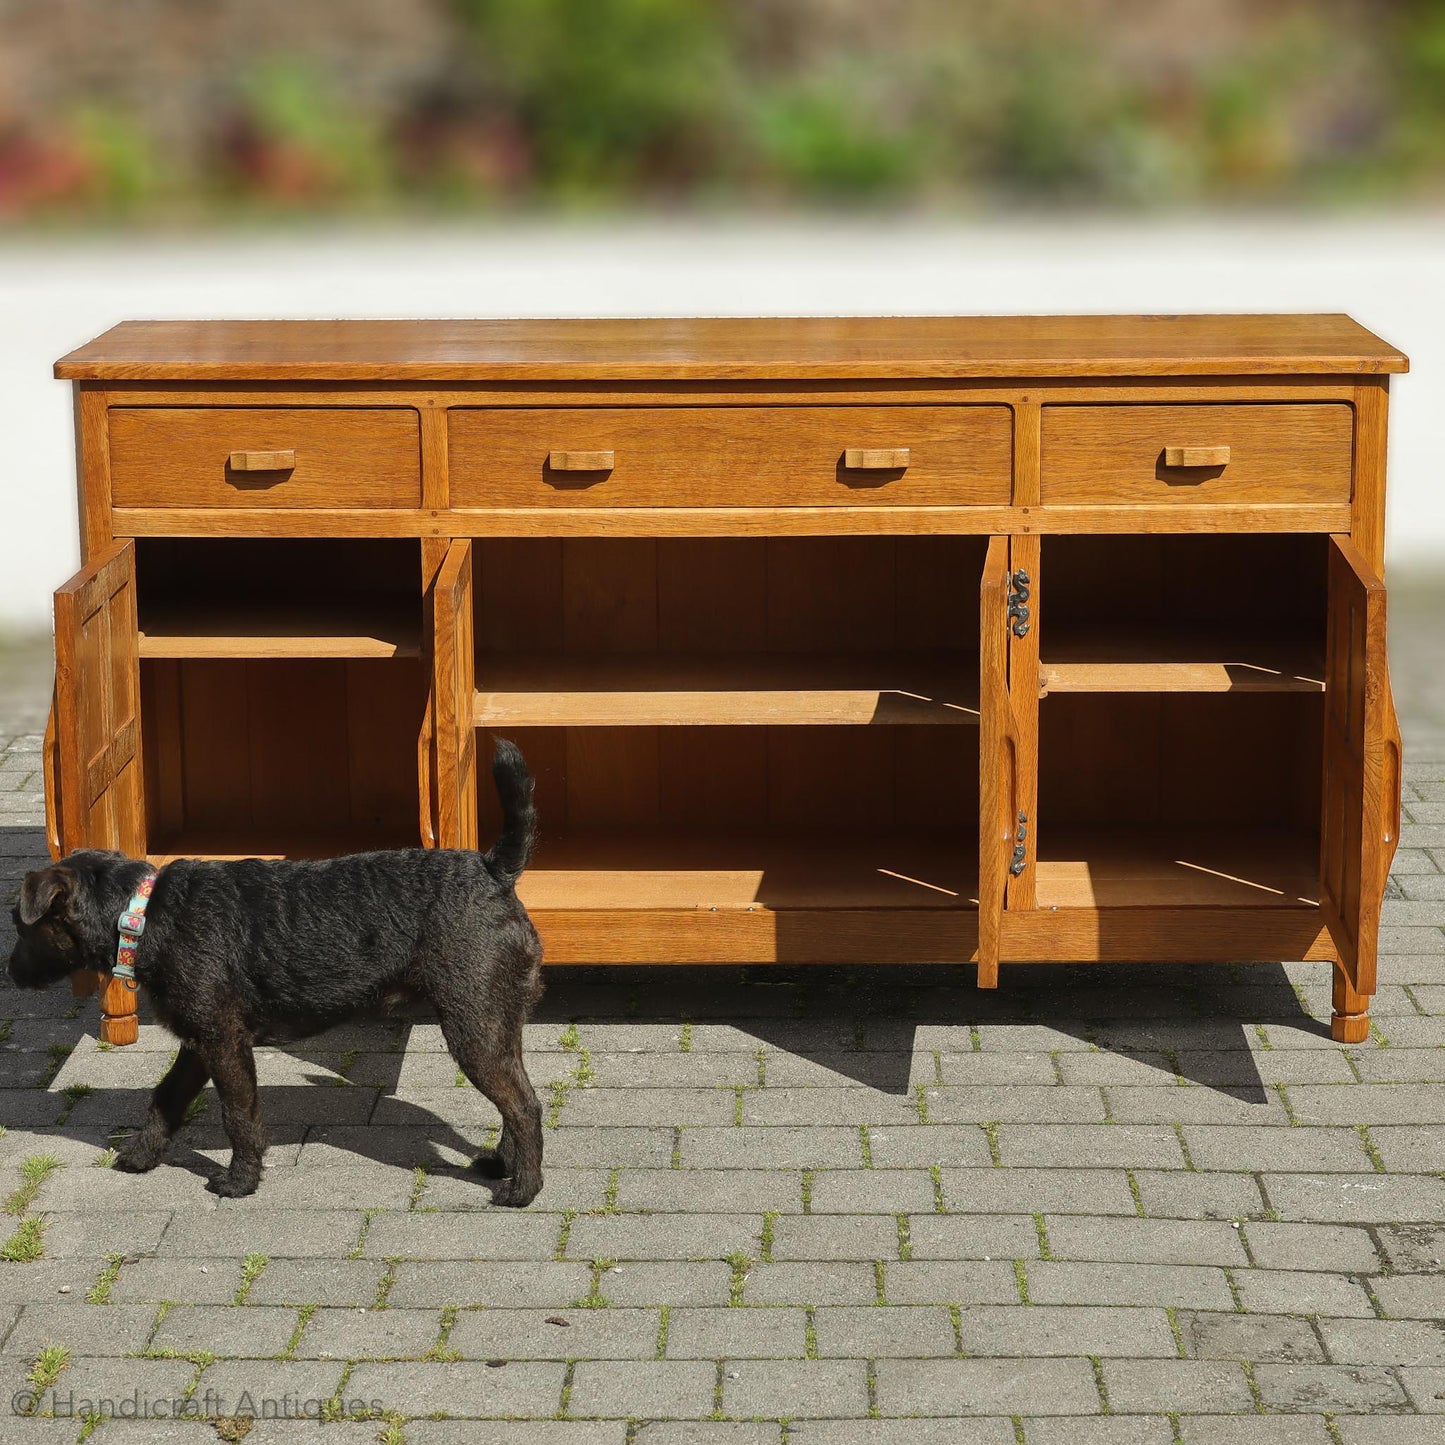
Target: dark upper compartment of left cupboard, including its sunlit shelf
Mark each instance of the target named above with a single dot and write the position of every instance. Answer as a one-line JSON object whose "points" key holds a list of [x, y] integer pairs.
{"points": [[278, 598]]}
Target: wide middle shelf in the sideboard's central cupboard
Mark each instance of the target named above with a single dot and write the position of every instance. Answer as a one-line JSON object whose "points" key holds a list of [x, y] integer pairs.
{"points": [[665, 691]]}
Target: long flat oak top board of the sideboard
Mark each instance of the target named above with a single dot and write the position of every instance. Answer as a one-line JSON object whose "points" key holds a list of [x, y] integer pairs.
{"points": [[722, 349]]}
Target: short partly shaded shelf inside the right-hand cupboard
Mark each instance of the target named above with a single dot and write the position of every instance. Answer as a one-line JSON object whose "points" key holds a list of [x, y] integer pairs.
{"points": [[1178, 664]]}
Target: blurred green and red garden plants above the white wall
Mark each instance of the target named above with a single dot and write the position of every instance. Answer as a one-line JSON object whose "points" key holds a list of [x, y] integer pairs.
{"points": [[200, 111]]}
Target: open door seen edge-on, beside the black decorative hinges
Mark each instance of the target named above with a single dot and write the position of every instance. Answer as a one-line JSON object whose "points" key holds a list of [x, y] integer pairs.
{"points": [[998, 761]]}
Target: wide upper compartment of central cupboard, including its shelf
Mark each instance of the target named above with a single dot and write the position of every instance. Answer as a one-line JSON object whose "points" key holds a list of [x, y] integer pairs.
{"points": [[735, 631]]}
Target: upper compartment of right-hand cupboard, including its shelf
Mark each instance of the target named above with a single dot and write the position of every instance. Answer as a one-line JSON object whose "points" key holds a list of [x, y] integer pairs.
{"points": [[1183, 613]]}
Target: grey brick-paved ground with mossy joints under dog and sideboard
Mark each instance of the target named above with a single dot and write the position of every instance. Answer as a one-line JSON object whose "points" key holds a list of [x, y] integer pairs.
{"points": [[1138, 1206]]}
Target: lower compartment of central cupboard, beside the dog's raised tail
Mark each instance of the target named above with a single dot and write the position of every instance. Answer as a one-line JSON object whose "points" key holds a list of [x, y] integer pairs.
{"points": [[765, 819]]}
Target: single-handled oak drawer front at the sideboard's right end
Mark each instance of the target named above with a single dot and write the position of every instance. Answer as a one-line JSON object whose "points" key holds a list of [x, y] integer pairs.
{"points": [[1287, 454]]}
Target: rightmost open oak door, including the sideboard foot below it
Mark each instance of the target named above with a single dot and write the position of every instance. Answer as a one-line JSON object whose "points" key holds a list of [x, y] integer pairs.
{"points": [[1360, 821]]}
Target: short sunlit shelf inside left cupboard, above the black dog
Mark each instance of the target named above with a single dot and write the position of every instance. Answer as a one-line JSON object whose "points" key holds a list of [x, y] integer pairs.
{"points": [[293, 631]]}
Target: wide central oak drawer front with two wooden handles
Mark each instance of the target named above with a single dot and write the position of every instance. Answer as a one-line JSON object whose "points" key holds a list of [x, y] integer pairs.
{"points": [[732, 457]]}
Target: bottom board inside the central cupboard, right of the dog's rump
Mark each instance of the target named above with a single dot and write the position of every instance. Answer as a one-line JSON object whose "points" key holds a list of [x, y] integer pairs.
{"points": [[587, 872]]}
